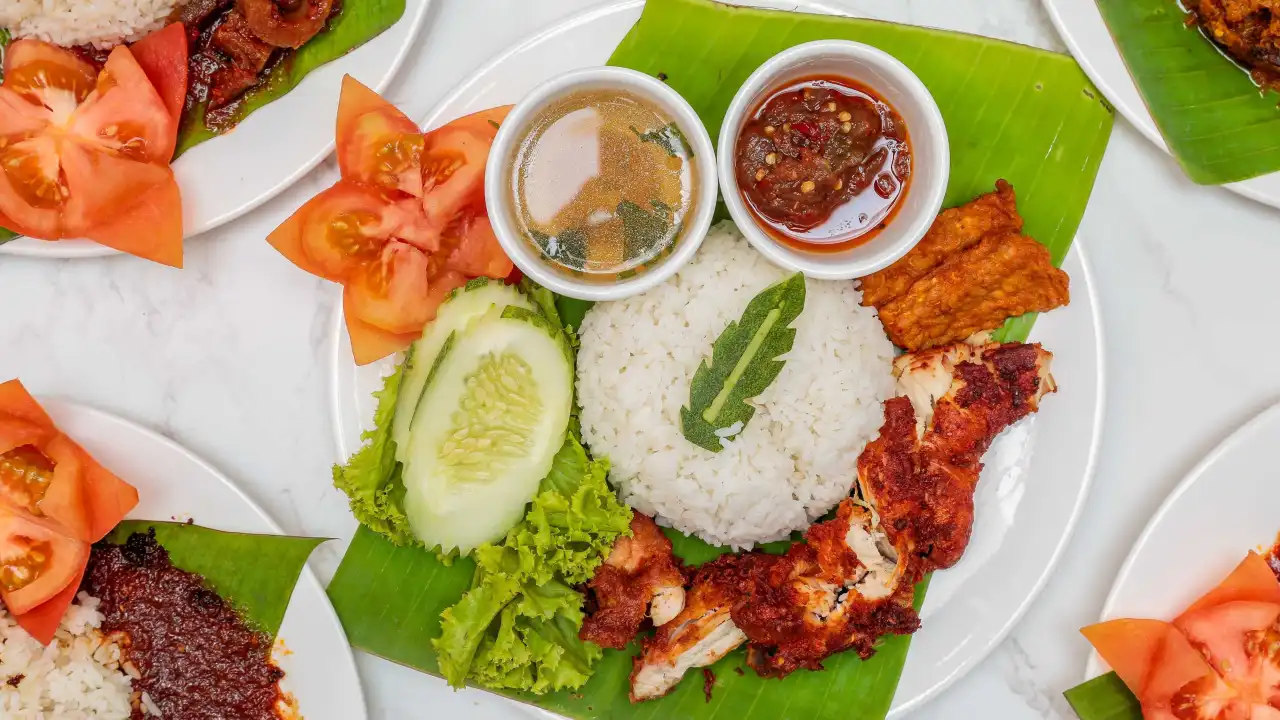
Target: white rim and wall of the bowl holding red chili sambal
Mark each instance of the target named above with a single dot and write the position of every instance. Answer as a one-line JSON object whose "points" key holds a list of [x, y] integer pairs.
{"points": [[931, 156]]}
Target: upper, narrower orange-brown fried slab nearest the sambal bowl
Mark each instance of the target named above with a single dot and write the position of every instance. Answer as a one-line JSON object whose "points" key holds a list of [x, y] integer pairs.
{"points": [[954, 231]]}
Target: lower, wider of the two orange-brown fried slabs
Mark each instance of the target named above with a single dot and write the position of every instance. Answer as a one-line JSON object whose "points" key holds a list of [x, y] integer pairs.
{"points": [[999, 279]]}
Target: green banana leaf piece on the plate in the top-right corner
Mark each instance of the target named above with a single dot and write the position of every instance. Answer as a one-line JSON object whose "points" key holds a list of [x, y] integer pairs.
{"points": [[1217, 122]]}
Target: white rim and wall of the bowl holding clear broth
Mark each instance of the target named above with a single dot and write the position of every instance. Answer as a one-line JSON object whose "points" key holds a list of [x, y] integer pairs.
{"points": [[500, 197]]}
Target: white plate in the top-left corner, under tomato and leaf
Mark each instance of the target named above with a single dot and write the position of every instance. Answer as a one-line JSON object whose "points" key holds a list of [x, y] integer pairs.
{"points": [[228, 176]]}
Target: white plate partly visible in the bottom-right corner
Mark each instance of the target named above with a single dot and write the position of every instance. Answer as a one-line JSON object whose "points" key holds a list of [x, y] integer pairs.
{"points": [[1227, 507]]}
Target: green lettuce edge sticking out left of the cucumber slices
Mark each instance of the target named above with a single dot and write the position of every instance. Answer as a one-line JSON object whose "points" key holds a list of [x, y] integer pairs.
{"points": [[372, 479]]}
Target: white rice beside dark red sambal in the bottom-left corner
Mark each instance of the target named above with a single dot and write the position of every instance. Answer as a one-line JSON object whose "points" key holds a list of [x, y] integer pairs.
{"points": [[76, 678]]}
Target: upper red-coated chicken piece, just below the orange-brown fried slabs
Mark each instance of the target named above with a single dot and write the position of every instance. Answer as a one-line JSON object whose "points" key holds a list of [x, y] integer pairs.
{"points": [[922, 472]]}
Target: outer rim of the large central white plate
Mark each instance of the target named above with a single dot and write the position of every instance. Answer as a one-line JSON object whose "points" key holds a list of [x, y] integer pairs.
{"points": [[1099, 418]]}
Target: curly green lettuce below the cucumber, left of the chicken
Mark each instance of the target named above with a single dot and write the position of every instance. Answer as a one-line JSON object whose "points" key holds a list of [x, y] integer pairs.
{"points": [[518, 626]]}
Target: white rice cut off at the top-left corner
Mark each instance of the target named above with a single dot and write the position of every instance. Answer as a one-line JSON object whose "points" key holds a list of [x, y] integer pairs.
{"points": [[102, 24]]}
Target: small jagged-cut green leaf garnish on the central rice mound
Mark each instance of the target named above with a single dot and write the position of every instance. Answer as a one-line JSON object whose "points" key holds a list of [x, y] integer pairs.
{"points": [[744, 363]]}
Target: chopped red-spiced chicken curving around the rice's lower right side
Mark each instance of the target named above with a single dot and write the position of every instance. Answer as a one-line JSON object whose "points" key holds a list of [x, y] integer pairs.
{"points": [[853, 578]]}
